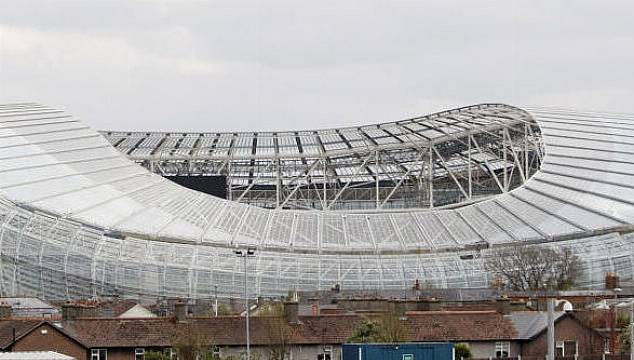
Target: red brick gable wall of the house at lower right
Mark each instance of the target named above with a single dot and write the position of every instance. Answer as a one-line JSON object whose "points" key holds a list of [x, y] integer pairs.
{"points": [[588, 341]]}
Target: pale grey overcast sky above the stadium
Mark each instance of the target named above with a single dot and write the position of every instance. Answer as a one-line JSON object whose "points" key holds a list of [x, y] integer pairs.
{"points": [[287, 64]]}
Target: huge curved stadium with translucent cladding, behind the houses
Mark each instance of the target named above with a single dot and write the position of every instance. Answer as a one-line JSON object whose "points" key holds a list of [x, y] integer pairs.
{"points": [[87, 214]]}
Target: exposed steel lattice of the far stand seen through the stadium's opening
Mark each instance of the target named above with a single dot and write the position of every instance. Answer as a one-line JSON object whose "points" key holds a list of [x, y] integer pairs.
{"points": [[436, 160]]}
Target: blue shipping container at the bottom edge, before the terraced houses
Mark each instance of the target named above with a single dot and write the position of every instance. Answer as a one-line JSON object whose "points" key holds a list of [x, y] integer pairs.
{"points": [[404, 351]]}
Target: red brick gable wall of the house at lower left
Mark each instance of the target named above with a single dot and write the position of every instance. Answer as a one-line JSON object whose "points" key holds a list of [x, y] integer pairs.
{"points": [[52, 340]]}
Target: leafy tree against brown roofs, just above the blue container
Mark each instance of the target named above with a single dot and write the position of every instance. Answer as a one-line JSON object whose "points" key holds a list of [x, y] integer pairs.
{"points": [[388, 328]]}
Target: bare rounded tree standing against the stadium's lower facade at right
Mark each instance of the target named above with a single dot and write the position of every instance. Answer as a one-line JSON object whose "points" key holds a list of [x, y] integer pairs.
{"points": [[523, 267]]}
